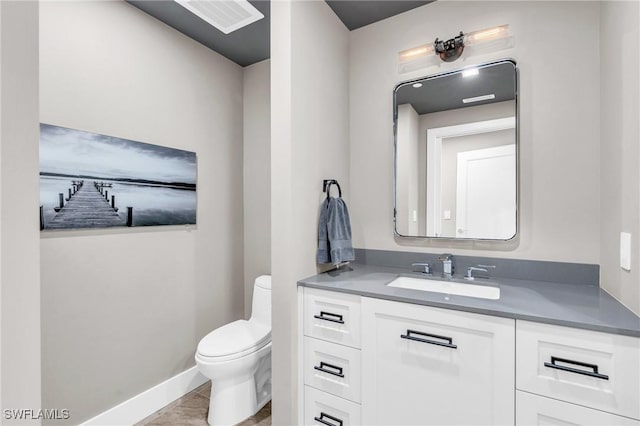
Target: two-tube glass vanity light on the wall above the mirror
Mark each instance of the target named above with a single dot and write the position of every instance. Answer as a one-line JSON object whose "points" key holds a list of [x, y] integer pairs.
{"points": [[473, 43]]}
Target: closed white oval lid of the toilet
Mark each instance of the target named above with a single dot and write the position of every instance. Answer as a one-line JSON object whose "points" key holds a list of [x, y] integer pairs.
{"points": [[234, 337]]}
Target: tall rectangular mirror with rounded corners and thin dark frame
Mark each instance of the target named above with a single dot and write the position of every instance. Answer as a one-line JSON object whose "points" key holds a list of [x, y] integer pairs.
{"points": [[456, 154]]}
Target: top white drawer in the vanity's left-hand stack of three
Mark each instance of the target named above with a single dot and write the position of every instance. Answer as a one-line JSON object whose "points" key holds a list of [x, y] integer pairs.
{"points": [[332, 316]]}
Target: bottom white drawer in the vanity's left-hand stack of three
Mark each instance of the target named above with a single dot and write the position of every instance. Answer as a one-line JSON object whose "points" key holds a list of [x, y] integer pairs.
{"points": [[321, 408]]}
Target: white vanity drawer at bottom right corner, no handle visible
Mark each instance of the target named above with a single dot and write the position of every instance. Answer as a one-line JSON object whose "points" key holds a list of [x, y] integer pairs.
{"points": [[539, 410]]}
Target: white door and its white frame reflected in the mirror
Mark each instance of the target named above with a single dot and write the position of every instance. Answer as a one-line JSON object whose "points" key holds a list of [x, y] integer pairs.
{"points": [[471, 173]]}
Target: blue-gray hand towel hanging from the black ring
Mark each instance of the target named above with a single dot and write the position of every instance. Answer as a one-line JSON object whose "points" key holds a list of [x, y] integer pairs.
{"points": [[334, 233]]}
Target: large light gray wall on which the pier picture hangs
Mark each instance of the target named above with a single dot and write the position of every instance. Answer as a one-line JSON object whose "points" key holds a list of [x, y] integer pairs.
{"points": [[123, 310]]}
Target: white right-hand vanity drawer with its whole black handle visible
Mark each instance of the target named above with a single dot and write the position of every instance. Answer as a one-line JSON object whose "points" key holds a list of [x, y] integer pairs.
{"points": [[588, 368]]}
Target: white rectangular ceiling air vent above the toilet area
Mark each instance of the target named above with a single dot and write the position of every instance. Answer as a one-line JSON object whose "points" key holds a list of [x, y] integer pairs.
{"points": [[225, 15]]}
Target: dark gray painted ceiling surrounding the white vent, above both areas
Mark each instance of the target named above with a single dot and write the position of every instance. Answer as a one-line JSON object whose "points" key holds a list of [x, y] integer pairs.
{"points": [[251, 44]]}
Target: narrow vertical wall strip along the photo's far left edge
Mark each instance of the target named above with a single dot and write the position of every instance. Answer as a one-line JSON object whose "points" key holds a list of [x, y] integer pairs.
{"points": [[19, 248]]}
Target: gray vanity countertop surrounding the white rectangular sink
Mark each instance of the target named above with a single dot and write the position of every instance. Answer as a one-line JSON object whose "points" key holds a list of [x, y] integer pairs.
{"points": [[573, 305]]}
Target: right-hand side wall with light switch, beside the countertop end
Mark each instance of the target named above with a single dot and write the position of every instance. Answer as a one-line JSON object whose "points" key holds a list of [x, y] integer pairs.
{"points": [[619, 154]]}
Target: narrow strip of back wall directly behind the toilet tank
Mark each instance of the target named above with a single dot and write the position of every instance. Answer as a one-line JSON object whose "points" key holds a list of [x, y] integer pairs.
{"points": [[257, 176]]}
